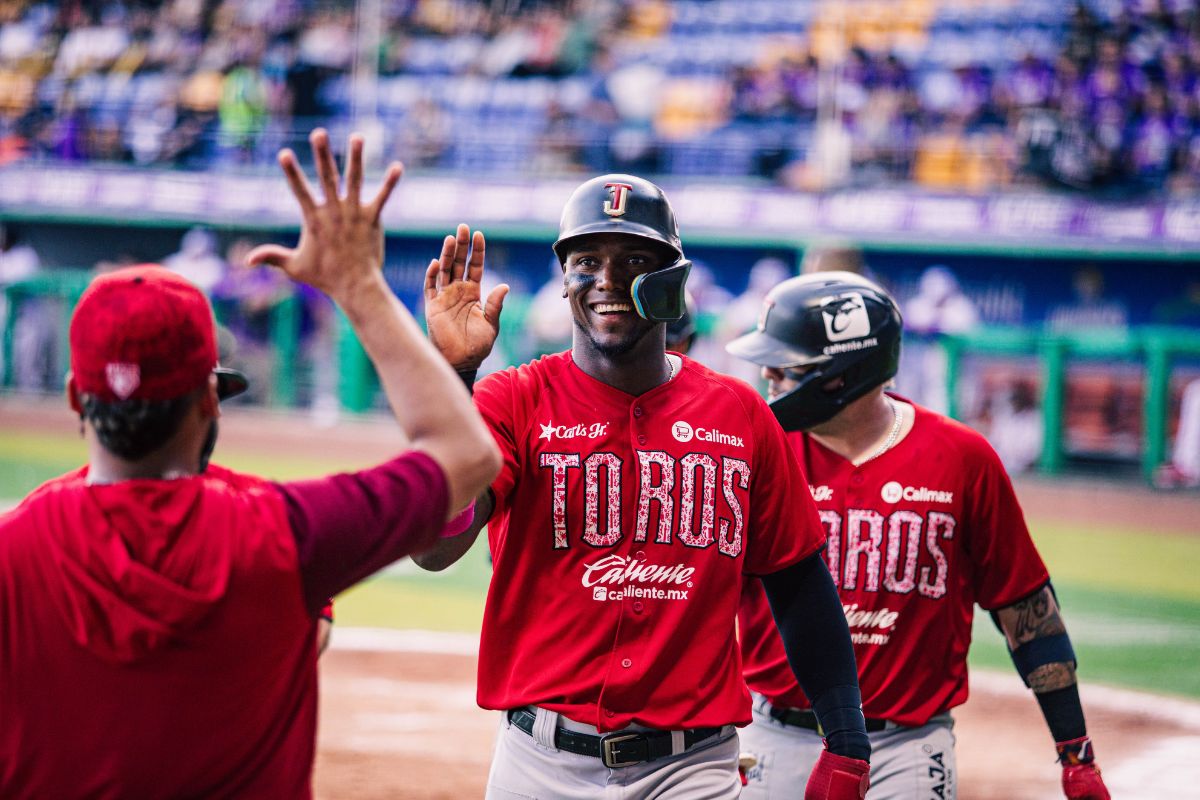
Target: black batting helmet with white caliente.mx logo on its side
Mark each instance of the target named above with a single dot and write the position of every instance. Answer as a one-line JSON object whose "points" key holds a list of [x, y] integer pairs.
{"points": [[841, 326]]}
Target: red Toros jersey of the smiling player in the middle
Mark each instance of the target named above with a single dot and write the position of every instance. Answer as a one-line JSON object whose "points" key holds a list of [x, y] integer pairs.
{"points": [[622, 531]]}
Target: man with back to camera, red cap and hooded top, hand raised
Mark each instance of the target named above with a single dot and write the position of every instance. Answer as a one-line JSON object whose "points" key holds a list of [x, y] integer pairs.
{"points": [[158, 613]]}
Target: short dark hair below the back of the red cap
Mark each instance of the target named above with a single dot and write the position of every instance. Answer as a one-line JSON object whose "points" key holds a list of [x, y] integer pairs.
{"points": [[135, 429]]}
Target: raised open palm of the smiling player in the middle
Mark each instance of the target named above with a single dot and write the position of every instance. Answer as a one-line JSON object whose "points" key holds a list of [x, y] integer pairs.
{"points": [[461, 328]]}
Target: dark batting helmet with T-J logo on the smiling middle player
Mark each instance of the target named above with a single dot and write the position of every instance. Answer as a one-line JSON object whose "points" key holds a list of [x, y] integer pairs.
{"points": [[634, 207]]}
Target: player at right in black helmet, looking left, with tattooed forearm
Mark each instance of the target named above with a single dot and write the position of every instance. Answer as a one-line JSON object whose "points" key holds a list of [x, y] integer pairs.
{"points": [[922, 524]]}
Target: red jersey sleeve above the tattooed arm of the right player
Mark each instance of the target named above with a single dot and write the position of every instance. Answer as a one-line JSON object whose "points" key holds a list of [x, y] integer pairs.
{"points": [[1007, 566]]}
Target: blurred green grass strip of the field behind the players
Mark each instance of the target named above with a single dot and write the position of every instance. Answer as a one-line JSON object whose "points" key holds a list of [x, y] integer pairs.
{"points": [[1131, 599]]}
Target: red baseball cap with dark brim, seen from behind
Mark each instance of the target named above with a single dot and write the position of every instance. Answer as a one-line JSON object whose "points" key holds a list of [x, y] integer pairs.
{"points": [[146, 333]]}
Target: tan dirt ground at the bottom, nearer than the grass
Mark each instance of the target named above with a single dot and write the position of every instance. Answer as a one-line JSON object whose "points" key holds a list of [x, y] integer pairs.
{"points": [[404, 724]]}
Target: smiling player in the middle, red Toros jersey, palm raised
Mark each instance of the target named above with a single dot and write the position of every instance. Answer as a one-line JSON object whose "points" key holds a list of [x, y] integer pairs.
{"points": [[639, 490]]}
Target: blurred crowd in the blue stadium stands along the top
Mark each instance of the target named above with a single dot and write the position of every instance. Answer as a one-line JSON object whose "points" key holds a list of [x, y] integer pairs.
{"points": [[814, 94]]}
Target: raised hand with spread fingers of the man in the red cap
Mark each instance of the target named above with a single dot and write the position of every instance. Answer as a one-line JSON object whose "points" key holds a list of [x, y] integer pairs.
{"points": [[341, 240]]}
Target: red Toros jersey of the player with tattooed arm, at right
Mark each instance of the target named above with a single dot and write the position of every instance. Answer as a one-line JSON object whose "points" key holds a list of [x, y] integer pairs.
{"points": [[917, 538]]}
